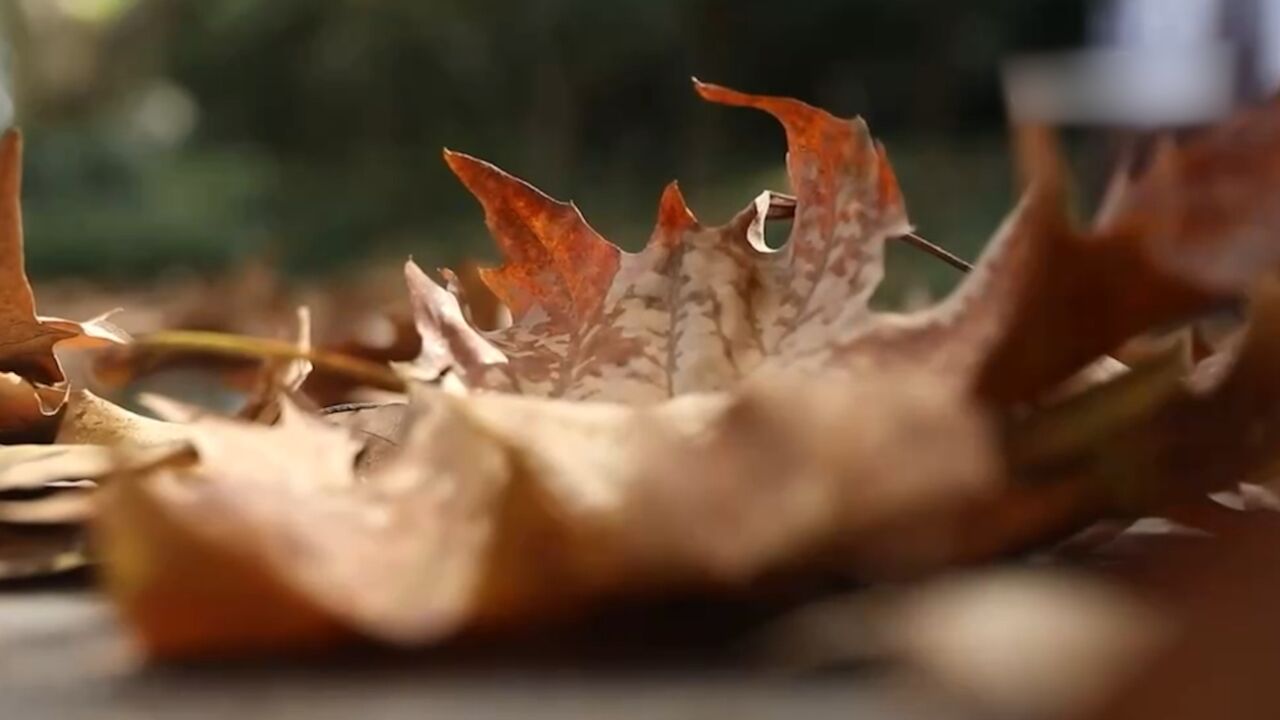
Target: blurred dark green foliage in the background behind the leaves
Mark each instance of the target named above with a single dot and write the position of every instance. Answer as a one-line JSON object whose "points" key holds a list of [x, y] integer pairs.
{"points": [[203, 134]]}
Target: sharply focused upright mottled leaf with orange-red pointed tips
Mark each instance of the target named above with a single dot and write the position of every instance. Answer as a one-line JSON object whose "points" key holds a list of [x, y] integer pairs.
{"points": [[700, 308]]}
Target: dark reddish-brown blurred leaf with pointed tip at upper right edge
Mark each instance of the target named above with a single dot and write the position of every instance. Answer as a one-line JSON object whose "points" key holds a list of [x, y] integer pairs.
{"points": [[1197, 229]]}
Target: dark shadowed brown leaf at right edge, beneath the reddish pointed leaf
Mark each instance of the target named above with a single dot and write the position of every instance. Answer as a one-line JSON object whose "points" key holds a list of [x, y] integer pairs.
{"points": [[1154, 440]]}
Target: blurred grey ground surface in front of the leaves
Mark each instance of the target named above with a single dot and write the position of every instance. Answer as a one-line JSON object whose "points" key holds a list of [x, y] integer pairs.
{"points": [[63, 657]]}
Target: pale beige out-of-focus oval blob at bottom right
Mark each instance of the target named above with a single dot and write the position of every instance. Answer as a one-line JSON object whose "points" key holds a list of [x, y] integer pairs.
{"points": [[1027, 644]]}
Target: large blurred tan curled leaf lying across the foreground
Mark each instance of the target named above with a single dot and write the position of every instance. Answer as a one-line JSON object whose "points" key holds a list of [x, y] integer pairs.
{"points": [[506, 511]]}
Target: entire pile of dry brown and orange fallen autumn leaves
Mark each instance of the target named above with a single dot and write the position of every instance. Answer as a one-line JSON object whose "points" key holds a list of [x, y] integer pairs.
{"points": [[708, 417]]}
